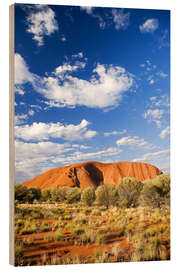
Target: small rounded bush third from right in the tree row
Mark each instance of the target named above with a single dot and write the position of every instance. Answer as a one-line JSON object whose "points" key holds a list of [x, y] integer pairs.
{"points": [[106, 195]]}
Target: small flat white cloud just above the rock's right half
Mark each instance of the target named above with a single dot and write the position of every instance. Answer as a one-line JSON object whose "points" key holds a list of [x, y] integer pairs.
{"points": [[134, 141]]}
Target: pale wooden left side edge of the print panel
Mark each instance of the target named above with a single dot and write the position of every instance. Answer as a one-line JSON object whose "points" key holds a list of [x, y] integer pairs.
{"points": [[11, 135]]}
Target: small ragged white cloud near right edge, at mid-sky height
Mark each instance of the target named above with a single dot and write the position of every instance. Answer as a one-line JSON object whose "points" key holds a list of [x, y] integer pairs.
{"points": [[154, 115]]}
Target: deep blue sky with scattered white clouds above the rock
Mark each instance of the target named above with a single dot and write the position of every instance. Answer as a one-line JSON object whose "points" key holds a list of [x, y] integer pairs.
{"points": [[90, 84]]}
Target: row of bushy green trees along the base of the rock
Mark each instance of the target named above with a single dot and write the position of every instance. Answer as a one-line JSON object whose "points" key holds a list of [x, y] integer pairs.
{"points": [[128, 193]]}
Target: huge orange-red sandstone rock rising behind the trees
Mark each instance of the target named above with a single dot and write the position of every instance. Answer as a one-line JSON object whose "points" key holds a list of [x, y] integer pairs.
{"points": [[93, 174]]}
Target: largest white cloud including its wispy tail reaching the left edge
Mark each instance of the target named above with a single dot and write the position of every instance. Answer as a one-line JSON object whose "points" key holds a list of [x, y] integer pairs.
{"points": [[104, 89]]}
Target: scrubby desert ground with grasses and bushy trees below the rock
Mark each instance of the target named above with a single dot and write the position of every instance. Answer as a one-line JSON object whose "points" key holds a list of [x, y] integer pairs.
{"points": [[130, 222]]}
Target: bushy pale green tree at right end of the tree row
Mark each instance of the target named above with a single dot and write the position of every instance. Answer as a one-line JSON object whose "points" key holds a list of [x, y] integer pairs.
{"points": [[156, 192]]}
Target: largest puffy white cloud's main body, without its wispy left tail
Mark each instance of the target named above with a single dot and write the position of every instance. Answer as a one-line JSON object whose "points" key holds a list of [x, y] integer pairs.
{"points": [[104, 89]]}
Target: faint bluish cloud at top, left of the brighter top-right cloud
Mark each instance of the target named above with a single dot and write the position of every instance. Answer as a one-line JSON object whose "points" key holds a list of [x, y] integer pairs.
{"points": [[121, 19]]}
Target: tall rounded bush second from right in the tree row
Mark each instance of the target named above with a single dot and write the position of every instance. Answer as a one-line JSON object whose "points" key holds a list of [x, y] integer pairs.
{"points": [[129, 190]]}
